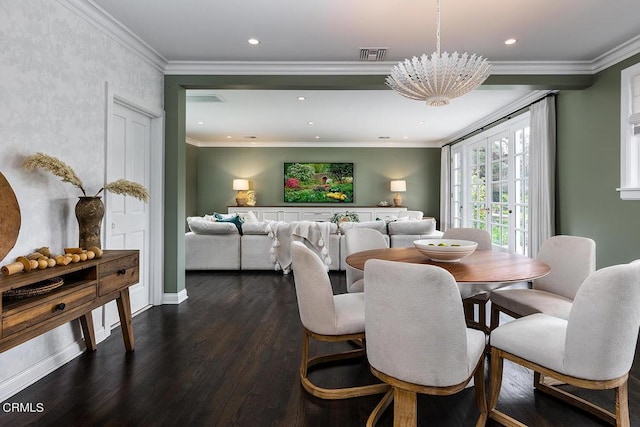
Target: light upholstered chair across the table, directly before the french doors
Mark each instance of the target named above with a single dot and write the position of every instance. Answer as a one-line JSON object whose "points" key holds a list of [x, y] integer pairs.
{"points": [[480, 299]]}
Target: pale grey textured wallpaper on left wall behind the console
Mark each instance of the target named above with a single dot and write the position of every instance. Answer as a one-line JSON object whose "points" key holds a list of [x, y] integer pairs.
{"points": [[53, 72]]}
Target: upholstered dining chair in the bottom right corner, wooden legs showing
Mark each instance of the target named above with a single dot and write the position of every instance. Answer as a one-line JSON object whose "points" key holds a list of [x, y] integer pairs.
{"points": [[593, 349]]}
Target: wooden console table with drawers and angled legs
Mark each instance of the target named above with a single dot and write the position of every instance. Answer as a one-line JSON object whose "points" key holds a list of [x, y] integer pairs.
{"points": [[87, 285]]}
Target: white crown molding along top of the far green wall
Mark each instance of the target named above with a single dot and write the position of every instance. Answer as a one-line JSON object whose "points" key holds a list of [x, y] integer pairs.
{"points": [[315, 144]]}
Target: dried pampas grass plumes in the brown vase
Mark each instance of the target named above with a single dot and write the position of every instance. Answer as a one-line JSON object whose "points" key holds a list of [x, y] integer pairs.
{"points": [[64, 172]]}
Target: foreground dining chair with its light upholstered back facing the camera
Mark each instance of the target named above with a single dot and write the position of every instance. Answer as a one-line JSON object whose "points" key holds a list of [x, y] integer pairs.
{"points": [[417, 339]]}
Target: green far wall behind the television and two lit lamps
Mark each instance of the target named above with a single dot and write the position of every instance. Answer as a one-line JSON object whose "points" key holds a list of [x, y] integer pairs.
{"points": [[373, 169]]}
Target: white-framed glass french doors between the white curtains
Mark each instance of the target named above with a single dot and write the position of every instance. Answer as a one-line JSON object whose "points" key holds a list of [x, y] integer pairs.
{"points": [[489, 184]]}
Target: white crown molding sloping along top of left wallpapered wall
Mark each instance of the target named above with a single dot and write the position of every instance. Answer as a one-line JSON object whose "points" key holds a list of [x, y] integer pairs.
{"points": [[112, 28]]}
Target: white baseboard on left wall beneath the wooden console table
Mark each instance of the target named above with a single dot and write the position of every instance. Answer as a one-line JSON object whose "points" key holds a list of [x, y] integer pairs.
{"points": [[40, 370]]}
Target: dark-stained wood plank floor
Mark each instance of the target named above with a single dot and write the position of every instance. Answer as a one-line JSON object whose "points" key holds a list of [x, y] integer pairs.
{"points": [[229, 356]]}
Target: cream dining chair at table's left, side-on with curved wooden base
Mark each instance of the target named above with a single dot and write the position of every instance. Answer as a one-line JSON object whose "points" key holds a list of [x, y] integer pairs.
{"points": [[329, 318]]}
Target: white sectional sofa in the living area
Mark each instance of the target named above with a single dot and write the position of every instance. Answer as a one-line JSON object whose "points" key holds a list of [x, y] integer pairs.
{"points": [[212, 245]]}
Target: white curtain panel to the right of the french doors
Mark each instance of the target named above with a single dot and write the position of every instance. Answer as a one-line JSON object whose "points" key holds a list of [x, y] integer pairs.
{"points": [[542, 160]]}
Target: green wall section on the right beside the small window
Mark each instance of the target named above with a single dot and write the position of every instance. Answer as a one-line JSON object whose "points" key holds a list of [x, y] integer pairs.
{"points": [[588, 169]]}
